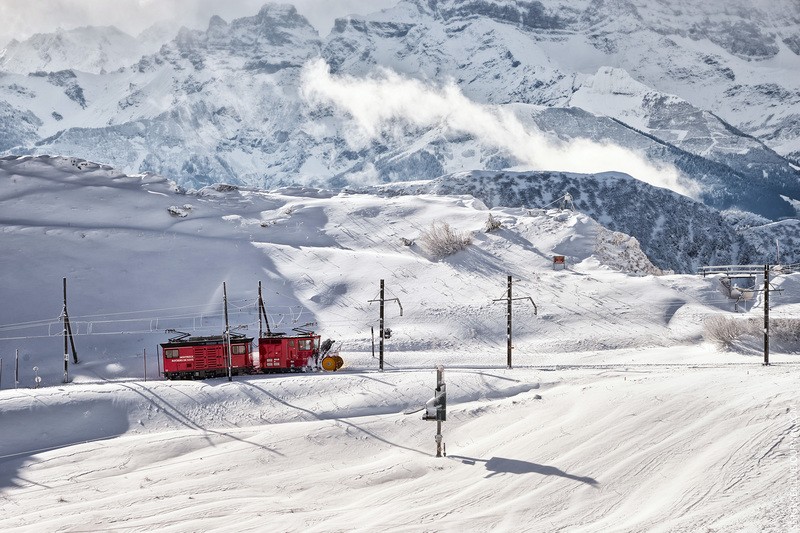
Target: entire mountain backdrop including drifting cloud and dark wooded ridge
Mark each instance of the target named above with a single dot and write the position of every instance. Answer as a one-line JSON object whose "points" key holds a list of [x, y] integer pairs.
{"points": [[264, 101]]}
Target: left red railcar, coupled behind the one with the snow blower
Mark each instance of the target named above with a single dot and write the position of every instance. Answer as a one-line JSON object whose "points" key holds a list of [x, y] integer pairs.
{"points": [[188, 357]]}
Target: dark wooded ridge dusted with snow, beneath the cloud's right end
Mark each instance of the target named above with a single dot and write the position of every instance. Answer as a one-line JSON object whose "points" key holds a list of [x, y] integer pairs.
{"points": [[675, 232]]}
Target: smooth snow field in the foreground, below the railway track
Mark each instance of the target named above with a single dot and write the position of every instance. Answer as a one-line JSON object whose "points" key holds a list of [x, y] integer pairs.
{"points": [[619, 450]]}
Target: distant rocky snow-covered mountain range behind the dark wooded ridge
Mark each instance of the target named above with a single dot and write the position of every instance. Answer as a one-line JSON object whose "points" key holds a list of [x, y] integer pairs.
{"points": [[232, 103]]}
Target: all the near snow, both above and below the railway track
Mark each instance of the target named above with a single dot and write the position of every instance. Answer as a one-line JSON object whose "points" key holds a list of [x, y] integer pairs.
{"points": [[616, 416]]}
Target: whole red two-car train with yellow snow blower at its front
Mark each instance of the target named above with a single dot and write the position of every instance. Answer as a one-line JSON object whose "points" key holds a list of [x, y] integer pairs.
{"points": [[187, 357]]}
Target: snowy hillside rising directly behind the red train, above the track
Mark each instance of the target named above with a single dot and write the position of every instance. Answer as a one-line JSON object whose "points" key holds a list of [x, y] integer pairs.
{"points": [[136, 269]]}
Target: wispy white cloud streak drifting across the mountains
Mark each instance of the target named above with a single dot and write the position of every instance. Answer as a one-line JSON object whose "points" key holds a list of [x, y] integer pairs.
{"points": [[376, 103]]}
